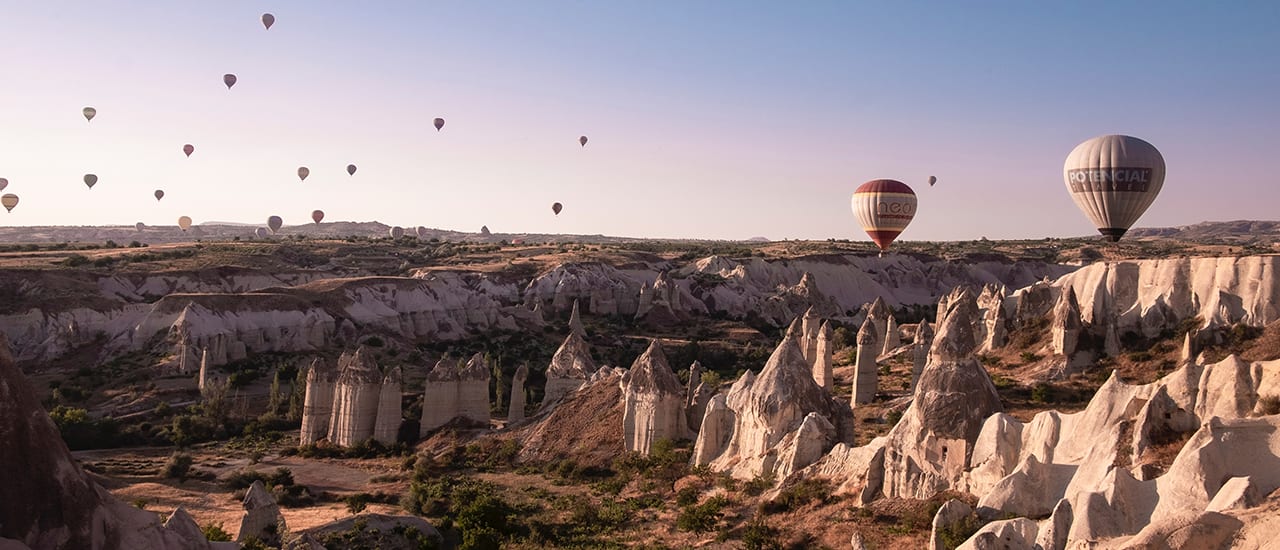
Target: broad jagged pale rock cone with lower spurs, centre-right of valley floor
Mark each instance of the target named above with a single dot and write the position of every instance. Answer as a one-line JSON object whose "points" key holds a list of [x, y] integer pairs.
{"points": [[783, 420]]}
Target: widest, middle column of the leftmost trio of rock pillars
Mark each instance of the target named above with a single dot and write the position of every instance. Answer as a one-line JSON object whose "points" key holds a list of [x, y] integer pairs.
{"points": [[355, 400]]}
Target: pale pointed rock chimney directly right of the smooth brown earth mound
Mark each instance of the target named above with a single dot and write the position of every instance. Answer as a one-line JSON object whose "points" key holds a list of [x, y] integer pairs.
{"points": [[653, 401]]}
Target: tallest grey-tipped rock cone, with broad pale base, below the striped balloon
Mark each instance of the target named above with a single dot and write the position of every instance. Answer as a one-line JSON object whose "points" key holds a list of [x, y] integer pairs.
{"points": [[931, 447]]}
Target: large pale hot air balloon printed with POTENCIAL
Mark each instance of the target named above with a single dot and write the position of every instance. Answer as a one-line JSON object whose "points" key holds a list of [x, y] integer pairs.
{"points": [[1114, 180]]}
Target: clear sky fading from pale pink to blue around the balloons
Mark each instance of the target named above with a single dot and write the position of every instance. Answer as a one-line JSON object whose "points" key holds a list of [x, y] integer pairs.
{"points": [[707, 120]]}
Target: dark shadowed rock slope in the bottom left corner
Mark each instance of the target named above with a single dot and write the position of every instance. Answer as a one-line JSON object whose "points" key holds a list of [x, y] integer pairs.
{"points": [[49, 502]]}
